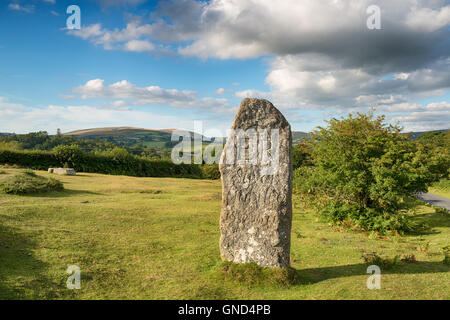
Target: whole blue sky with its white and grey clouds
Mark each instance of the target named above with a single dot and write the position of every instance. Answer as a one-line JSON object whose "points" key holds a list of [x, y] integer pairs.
{"points": [[164, 64]]}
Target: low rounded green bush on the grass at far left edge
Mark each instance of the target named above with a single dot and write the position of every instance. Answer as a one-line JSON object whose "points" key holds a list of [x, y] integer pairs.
{"points": [[28, 182]]}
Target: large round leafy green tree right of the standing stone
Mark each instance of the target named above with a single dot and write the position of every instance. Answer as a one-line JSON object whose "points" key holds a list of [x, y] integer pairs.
{"points": [[367, 169]]}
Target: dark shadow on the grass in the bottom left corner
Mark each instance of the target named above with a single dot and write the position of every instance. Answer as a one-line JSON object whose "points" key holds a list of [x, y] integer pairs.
{"points": [[22, 275]]}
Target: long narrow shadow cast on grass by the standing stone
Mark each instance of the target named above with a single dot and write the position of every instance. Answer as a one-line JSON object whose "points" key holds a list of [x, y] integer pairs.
{"points": [[314, 275]]}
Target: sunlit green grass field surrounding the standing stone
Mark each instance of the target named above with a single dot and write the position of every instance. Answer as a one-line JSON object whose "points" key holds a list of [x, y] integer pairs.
{"points": [[154, 238]]}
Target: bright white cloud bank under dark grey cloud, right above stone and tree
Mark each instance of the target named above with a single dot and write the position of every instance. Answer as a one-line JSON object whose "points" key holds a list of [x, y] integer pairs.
{"points": [[319, 81]]}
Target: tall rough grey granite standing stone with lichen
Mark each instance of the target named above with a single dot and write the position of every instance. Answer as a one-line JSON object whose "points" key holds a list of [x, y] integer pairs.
{"points": [[256, 216]]}
